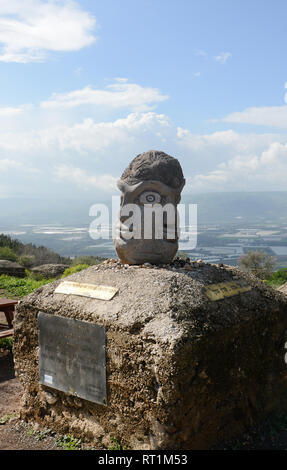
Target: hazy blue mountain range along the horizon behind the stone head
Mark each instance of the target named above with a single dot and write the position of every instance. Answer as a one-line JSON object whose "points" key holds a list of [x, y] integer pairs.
{"points": [[212, 208]]}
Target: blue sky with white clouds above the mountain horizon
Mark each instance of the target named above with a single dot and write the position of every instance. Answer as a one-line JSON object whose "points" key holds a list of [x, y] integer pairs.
{"points": [[87, 85]]}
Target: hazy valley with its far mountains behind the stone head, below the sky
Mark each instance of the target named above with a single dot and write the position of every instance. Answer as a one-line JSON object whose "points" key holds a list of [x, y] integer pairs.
{"points": [[229, 224]]}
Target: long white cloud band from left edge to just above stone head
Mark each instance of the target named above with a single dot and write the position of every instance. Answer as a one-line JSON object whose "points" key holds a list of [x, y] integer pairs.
{"points": [[89, 136]]}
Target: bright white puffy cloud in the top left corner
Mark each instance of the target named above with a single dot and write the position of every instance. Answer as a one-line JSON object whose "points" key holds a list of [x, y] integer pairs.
{"points": [[30, 29]]}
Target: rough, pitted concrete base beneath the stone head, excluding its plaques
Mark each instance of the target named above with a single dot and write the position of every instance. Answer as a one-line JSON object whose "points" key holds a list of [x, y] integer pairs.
{"points": [[183, 372]]}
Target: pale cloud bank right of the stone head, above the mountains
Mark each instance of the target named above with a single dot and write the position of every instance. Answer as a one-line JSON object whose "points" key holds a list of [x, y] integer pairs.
{"points": [[231, 161]]}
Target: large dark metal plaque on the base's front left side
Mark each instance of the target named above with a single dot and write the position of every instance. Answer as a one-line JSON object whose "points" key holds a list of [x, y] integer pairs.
{"points": [[72, 357]]}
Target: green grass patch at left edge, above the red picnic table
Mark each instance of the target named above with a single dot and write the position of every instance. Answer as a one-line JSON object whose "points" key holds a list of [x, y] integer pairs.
{"points": [[19, 287]]}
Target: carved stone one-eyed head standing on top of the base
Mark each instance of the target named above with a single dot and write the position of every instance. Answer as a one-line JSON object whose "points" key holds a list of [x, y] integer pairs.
{"points": [[147, 226]]}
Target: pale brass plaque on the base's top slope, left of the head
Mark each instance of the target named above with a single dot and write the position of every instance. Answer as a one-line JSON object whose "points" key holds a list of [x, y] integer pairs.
{"points": [[86, 290]]}
